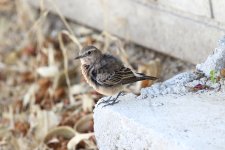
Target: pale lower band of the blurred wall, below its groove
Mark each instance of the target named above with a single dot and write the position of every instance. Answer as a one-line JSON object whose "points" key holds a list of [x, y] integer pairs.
{"points": [[170, 33]]}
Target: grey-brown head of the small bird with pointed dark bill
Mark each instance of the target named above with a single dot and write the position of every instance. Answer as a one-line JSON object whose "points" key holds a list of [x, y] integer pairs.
{"points": [[89, 55]]}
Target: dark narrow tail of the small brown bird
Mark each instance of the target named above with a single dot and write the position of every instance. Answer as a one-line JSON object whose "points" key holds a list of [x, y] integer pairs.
{"points": [[138, 77]]}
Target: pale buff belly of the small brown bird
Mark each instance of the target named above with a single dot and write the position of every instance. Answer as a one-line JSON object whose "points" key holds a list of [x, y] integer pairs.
{"points": [[108, 91]]}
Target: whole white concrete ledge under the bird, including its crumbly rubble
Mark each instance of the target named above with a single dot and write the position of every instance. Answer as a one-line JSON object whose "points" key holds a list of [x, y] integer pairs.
{"points": [[185, 112]]}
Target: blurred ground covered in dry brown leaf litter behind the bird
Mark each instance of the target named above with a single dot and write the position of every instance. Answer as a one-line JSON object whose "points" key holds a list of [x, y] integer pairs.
{"points": [[44, 100]]}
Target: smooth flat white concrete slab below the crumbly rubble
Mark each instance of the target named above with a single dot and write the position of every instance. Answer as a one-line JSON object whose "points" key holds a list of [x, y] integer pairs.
{"points": [[190, 122]]}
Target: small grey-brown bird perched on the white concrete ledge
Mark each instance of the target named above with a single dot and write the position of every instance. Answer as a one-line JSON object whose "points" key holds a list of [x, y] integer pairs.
{"points": [[106, 73]]}
